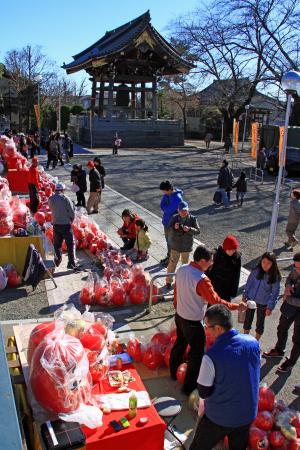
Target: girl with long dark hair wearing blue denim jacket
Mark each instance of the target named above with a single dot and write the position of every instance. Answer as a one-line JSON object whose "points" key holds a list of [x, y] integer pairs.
{"points": [[263, 286]]}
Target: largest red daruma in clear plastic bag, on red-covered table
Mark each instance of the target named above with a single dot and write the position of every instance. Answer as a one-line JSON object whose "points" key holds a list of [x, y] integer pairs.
{"points": [[59, 373]]}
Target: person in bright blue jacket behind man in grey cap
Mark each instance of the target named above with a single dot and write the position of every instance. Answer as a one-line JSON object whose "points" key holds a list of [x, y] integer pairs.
{"points": [[169, 205]]}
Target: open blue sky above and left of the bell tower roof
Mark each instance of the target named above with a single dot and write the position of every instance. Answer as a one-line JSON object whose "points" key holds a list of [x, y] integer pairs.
{"points": [[65, 27]]}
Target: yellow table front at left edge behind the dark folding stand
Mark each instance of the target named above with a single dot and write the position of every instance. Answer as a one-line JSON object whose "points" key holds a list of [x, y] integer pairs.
{"points": [[14, 250]]}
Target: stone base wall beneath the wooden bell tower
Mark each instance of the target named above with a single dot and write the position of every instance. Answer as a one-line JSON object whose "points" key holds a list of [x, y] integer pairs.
{"points": [[134, 133]]}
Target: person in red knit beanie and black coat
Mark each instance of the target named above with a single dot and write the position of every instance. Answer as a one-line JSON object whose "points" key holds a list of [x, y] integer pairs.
{"points": [[225, 271]]}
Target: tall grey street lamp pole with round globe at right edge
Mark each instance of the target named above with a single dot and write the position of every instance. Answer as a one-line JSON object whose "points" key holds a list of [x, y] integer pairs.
{"points": [[290, 83]]}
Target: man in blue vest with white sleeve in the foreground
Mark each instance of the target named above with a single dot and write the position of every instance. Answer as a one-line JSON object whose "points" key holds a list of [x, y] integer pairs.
{"points": [[229, 382]]}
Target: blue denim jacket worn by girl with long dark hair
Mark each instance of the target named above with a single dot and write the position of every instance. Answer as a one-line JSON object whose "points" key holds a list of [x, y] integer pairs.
{"points": [[260, 291]]}
